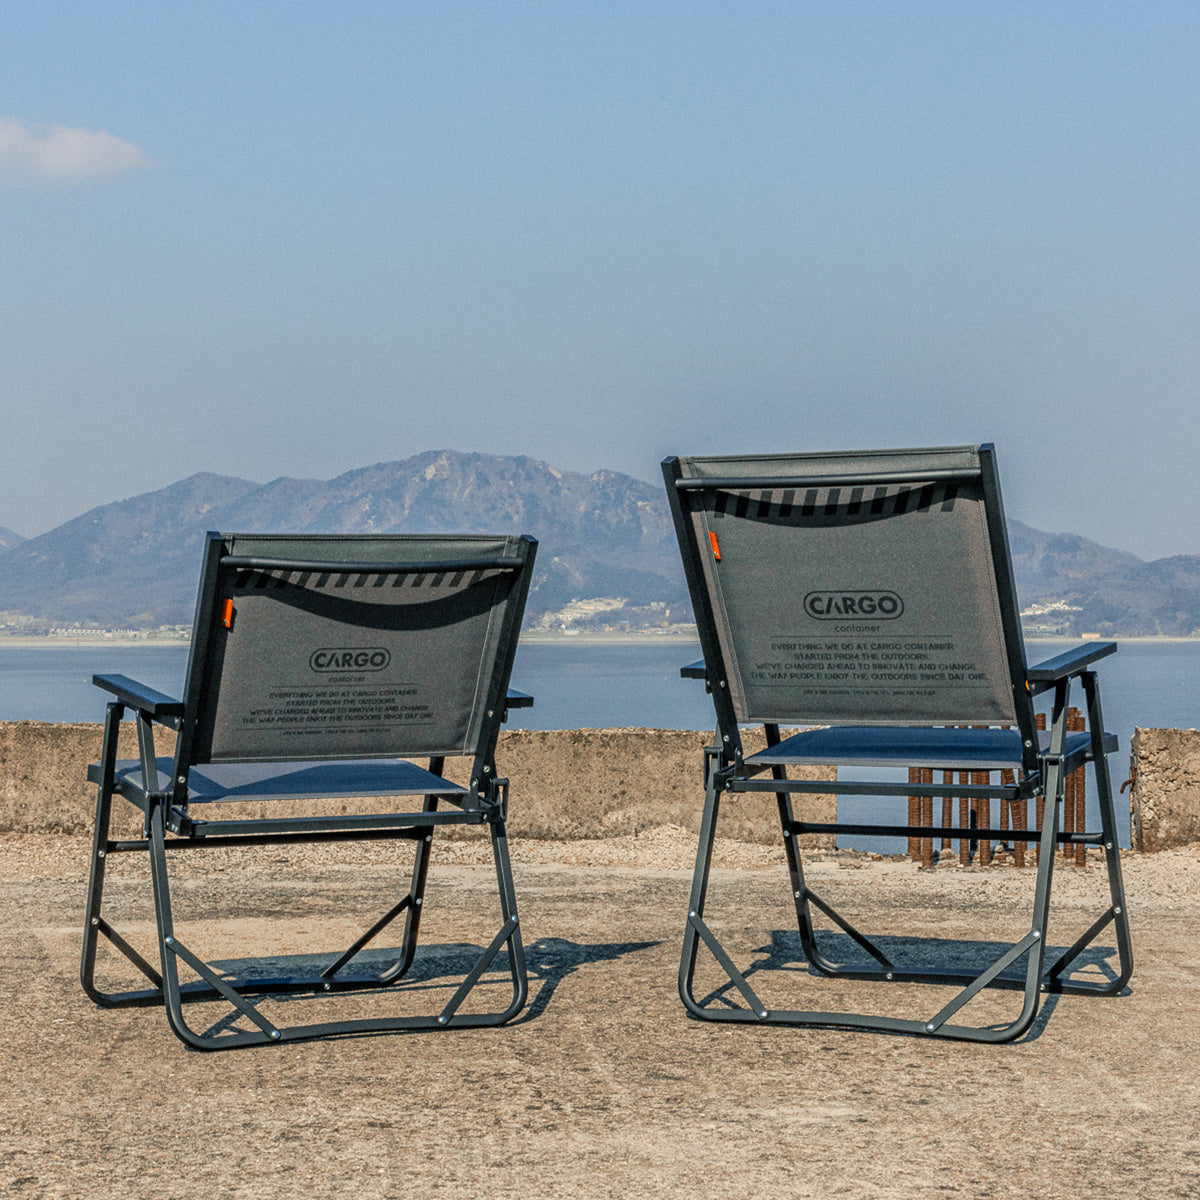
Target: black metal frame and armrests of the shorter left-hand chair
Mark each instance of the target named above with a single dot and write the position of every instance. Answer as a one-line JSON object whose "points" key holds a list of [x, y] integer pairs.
{"points": [[170, 827]]}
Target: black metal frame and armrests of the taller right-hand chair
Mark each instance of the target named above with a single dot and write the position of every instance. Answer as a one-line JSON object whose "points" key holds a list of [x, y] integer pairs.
{"points": [[1046, 769]]}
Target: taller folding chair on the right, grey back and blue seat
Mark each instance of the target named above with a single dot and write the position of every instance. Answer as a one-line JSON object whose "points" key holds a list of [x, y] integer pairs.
{"points": [[872, 595]]}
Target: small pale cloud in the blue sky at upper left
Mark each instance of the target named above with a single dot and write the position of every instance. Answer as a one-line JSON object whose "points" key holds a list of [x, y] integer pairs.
{"points": [[58, 155]]}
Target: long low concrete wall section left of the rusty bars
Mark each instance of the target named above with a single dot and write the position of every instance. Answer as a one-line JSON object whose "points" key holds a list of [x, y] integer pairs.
{"points": [[573, 784]]}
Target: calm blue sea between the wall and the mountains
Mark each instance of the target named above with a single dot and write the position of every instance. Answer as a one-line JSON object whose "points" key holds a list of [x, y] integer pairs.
{"points": [[597, 685]]}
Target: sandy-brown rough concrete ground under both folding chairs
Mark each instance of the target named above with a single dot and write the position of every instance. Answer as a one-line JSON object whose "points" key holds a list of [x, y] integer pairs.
{"points": [[604, 1087]]}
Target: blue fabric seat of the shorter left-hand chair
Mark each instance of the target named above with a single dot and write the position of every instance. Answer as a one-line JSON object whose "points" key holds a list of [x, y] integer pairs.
{"points": [[291, 781]]}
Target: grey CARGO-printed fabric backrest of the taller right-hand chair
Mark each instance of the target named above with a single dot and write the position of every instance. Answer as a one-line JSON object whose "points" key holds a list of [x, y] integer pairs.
{"points": [[869, 589]]}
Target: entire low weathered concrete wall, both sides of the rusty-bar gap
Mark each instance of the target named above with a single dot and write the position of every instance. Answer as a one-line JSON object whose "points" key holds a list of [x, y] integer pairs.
{"points": [[578, 784]]}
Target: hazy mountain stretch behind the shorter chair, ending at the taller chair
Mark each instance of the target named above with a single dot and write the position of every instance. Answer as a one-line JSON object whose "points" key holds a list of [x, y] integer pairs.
{"points": [[134, 563]]}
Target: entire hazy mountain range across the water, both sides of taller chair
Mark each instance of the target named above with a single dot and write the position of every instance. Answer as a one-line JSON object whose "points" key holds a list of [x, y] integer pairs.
{"points": [[608, 557]]}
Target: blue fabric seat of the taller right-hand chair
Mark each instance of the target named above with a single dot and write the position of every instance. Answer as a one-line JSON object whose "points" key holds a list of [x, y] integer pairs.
{"points": [[887, 746]]}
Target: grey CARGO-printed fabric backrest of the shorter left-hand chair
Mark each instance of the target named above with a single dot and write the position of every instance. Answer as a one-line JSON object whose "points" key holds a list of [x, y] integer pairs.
{"points": [[313, 647]]}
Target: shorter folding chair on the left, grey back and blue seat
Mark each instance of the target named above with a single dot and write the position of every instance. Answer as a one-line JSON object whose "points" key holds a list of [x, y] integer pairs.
{"points": [[320, 665]]}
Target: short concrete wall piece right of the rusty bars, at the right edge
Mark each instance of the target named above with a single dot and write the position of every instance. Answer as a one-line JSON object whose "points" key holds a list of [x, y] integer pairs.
{"points": [[1166, 803]]}
